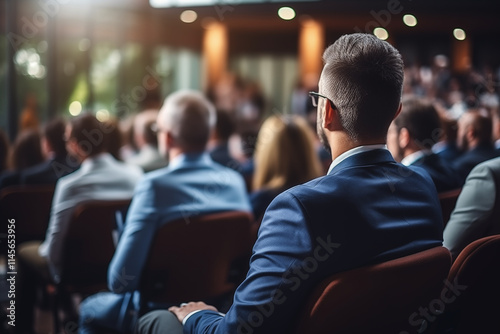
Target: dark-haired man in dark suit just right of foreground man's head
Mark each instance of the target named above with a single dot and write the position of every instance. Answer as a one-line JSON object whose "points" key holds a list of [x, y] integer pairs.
{"points": [[411, 137]]}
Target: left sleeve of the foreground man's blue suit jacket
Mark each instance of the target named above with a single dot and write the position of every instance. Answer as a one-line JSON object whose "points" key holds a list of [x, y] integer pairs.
{"points": [[275, 285]]}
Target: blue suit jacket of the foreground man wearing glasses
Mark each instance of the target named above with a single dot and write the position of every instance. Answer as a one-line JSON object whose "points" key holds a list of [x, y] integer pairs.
{"points": [[368, 209]]}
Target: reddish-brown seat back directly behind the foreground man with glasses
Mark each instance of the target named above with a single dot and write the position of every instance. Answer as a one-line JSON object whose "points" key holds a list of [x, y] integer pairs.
{"points": [[380, 298]]}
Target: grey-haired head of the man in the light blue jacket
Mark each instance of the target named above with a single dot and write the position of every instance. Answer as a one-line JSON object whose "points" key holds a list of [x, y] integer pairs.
{"points": [[190, 118]]}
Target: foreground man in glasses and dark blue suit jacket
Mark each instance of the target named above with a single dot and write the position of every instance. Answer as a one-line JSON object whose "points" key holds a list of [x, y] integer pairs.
{"points": [[366, 210]]}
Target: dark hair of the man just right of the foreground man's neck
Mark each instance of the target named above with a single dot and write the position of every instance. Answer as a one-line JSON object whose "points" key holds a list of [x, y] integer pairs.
{"points": [[421, 120]]}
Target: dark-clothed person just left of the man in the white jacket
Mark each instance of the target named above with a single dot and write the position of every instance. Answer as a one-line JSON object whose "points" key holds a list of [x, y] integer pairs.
{"points": [[57, 162]]}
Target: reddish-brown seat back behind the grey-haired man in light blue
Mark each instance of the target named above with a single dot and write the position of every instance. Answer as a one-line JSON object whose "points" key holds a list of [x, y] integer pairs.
{"points": [[192, 259]]}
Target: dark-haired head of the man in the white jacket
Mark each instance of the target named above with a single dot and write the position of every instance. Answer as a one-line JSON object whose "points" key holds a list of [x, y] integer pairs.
{"points": [[86, 130]]}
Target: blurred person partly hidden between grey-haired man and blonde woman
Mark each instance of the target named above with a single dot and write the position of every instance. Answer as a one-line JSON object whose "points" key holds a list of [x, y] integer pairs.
{"points": [[219, 143]]}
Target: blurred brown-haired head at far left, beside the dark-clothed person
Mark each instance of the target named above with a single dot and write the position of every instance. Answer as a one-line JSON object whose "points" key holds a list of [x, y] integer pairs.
{"points": [[27, 150]]}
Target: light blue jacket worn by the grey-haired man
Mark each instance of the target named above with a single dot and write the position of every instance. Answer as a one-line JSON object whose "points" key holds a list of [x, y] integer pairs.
{"points": [[191, 185]]}
